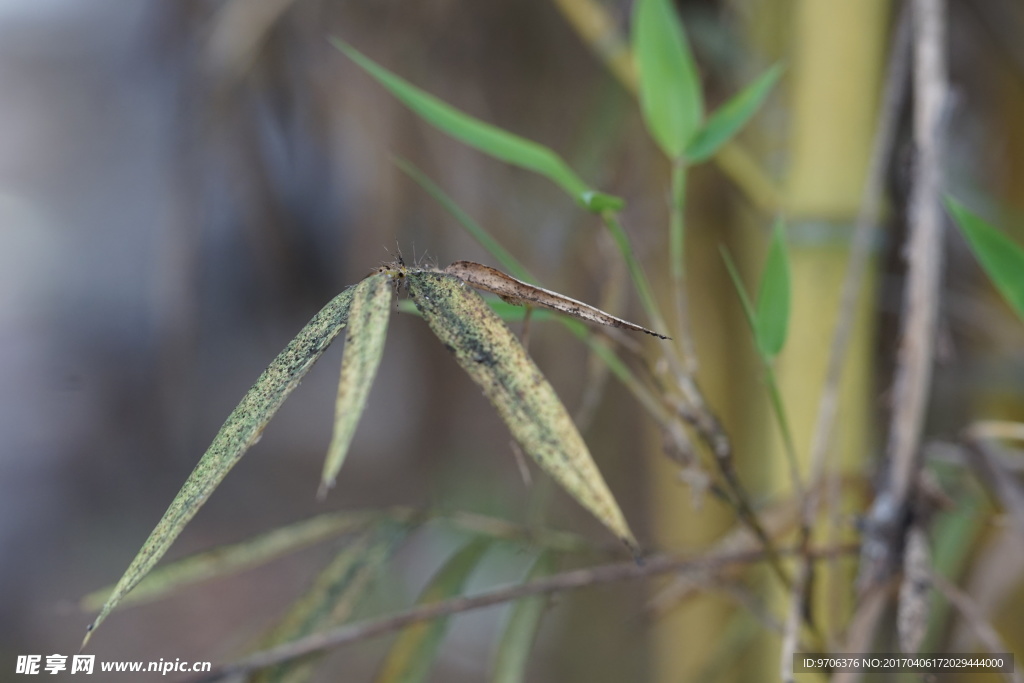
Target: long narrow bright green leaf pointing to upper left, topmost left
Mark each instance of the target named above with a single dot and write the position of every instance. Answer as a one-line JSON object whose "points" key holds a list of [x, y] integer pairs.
{"points": [[488, 139]]}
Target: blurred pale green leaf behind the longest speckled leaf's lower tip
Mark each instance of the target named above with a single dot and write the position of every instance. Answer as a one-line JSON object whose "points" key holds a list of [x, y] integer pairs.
{"points": [[227, 561]]}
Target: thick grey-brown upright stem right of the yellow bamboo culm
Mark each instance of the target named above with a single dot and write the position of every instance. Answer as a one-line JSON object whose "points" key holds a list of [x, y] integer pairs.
{"points": [[887, 521]]}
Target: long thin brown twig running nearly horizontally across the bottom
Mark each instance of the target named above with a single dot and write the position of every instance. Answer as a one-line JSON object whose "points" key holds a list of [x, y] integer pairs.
{"points": [[568, 581]]}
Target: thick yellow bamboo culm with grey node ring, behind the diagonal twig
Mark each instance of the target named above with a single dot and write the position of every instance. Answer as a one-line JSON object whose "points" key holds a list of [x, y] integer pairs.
{"points": [[837, 53]]}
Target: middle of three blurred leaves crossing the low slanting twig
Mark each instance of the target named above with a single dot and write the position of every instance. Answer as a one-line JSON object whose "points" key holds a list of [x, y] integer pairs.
{"points": [[416, 649]]}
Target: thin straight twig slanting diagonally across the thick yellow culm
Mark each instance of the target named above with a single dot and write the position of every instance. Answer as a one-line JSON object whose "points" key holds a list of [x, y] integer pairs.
{"points": [[865, 234]]}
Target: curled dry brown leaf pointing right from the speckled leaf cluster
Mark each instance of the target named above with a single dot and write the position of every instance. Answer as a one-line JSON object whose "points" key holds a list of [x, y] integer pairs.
{"points": [[519, 293]]}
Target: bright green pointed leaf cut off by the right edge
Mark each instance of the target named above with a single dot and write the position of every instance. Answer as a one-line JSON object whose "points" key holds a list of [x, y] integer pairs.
{"points": [[1002, 259]]}
